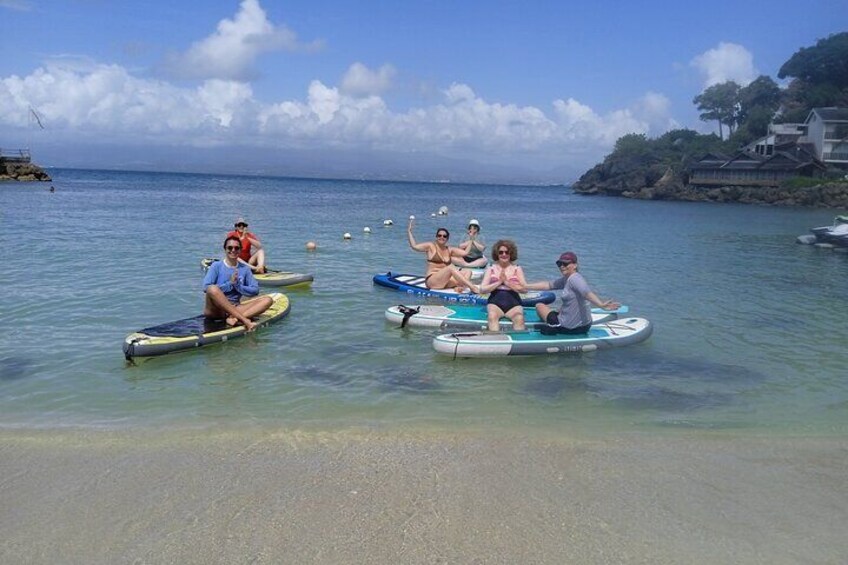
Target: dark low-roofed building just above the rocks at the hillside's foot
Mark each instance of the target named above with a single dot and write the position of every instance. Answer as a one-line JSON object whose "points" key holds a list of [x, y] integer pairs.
{"points": [[749, 168]]}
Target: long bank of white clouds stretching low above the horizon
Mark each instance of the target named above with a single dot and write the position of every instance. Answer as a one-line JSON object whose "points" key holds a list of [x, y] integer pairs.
{"points": [[81, 101]]}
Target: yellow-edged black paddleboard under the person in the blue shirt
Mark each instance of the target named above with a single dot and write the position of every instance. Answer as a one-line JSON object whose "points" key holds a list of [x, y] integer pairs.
{"points": [[196, 332]]}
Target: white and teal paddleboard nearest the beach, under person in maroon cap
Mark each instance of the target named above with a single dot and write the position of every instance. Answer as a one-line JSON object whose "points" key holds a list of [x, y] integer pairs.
{"points": [[616, 333]]}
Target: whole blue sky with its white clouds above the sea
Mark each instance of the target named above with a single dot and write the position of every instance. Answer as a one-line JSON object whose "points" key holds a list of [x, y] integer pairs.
{"points": [[506, 91]]}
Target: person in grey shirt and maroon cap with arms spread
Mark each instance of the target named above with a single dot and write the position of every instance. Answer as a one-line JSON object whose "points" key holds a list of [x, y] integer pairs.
{"points": [[575, 314]]}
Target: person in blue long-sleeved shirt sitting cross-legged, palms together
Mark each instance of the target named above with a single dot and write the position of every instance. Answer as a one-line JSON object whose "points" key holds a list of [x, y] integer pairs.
{"points": [[231, 289]]}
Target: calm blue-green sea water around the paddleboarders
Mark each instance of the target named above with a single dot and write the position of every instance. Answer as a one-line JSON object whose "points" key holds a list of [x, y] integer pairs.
{"points": [[750, 328]]}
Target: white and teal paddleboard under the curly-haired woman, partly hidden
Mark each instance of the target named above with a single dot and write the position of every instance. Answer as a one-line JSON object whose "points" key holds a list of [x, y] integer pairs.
{"points": [[473, 317]]}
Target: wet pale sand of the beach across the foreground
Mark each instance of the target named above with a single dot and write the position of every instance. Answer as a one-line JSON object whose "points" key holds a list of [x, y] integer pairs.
{"points": [[259, 496]]}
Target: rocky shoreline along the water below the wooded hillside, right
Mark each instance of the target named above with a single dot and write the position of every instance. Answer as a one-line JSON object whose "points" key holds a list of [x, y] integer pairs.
{"points": [[650, 184]]}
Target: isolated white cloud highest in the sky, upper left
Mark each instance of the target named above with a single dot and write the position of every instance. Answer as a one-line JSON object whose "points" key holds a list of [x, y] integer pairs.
{"points": [[231, 51]]}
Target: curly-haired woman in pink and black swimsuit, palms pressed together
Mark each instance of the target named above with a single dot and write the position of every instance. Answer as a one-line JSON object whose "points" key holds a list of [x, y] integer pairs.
{"points": [[504, 280]]}
